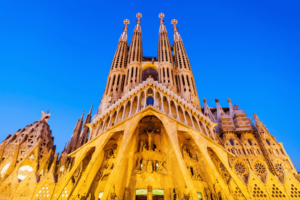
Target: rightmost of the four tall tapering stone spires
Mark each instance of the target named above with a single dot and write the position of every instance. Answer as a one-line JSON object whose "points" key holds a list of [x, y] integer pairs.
{"points": [[184, 77]]}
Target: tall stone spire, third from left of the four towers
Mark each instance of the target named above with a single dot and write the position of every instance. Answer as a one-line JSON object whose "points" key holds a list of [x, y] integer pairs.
{"points": [[165, 57]]}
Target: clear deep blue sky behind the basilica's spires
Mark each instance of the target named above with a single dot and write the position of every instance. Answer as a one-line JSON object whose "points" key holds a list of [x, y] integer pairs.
{"points": [[56, 55]]}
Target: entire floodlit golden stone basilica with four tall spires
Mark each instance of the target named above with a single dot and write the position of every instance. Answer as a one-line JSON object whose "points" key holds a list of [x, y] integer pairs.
{"points": [[150, 140]]}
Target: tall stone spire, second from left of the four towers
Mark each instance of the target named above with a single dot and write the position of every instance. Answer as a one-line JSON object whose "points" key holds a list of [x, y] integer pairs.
{"points": [[135, 57]]}
